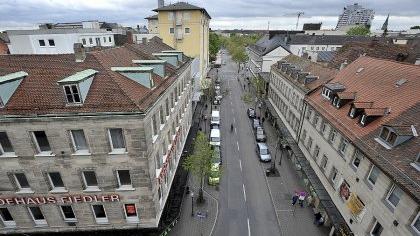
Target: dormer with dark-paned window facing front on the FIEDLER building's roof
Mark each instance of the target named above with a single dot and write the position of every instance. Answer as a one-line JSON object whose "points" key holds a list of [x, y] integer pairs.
{"points": [[77, 86]]}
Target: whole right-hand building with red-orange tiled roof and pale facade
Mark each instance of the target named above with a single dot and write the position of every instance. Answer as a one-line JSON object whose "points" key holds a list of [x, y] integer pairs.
{"points": [[360, 136]]}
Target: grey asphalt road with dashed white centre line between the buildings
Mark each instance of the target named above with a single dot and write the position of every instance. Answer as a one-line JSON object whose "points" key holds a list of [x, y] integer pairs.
{"points": [[245, 207]]}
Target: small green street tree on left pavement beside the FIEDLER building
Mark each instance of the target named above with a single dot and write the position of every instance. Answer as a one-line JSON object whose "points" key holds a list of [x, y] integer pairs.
{"points": [[200, 162]]}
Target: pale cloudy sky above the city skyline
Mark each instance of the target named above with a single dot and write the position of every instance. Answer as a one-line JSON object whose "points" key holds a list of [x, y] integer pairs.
{"points": [[226, 14]]}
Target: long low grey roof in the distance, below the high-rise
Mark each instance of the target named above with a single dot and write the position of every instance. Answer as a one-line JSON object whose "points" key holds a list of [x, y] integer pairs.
{"points": [[329, 39]]}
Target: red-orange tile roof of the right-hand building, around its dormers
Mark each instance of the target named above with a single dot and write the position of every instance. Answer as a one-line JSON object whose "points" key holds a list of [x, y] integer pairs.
{"points": [[376, 89]]}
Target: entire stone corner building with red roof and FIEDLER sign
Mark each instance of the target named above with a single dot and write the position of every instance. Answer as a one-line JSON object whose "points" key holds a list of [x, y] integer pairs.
{"points": [[98, 147]]}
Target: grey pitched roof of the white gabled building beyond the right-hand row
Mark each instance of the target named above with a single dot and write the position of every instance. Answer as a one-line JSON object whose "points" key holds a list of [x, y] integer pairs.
{"points": [[267, 44]]}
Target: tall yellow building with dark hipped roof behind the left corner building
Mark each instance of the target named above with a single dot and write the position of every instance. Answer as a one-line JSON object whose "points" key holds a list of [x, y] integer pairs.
{"points": [[185, 27]]}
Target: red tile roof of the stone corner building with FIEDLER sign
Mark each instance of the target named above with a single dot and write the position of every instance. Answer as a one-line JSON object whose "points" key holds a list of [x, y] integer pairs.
{"points": [[39, 93]]}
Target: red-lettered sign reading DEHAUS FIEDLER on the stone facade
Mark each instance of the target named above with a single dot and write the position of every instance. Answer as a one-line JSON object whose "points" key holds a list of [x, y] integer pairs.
{"points": [[67, 199]]}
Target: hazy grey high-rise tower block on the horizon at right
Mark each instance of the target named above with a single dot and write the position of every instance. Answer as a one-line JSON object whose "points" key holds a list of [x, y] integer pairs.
{"points": [[355, 15]]}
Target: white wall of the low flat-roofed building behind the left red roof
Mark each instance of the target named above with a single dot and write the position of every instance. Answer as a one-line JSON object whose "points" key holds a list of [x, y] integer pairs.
{"points": [[29, 44]]}
